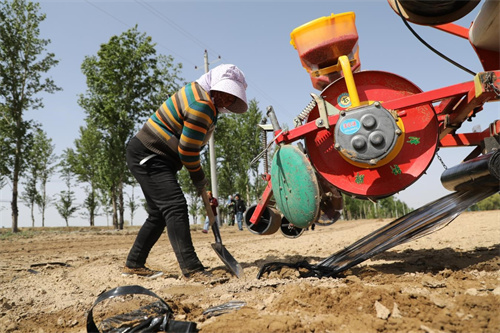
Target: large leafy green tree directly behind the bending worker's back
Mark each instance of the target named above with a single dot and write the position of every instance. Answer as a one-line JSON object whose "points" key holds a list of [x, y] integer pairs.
{"points": [[125, 82]]}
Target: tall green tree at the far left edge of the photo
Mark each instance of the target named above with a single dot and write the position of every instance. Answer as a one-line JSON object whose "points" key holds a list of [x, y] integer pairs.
{"points": [[23, 61]]}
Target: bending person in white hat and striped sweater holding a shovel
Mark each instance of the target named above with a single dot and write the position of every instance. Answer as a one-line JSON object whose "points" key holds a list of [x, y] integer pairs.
{"points": [[172, 138]]}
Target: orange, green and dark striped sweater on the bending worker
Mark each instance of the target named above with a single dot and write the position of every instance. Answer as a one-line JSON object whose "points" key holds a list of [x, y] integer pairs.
{"points": [[181, 127]]}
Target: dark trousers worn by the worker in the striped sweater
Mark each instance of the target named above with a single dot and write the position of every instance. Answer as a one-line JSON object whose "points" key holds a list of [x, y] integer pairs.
{"points": [[167, 207]]}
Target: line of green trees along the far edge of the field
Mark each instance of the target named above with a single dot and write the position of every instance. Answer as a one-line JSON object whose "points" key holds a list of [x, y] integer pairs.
{"points": [[126, 81]]}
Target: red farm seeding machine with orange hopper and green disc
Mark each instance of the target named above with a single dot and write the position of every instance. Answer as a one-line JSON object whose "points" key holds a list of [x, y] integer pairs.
{"points": [[371, 134]]}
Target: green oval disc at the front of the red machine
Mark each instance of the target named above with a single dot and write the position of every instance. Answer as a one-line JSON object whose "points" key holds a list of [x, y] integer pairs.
{"points": [[295, 186]]}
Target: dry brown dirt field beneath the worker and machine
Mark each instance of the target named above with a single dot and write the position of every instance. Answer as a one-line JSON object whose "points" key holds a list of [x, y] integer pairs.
{"points": [[448, 281]]}
